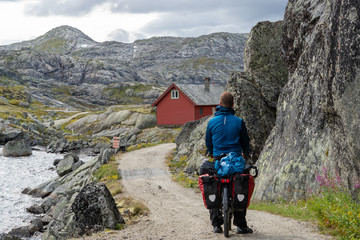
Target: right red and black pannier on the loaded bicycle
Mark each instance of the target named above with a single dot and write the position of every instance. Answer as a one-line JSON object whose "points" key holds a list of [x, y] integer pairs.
{"points": [[242, 190]]}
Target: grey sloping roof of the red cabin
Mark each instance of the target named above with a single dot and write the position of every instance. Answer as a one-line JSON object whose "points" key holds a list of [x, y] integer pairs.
{"points": [[200, 96]]}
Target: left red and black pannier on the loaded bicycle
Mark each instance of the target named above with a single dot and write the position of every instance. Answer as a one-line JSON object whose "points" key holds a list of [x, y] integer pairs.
{"points": [[210, 188]]}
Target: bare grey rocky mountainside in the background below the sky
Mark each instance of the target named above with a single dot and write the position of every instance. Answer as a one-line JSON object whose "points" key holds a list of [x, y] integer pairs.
{"points": [[66, 66]]}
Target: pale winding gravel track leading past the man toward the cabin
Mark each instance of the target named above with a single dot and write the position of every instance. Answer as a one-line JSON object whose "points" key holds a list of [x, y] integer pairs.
{"points": [[179, 213]]}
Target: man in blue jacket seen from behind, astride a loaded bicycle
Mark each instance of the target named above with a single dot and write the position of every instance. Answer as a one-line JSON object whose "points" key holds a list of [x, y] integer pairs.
{"points": [[227, 133]]}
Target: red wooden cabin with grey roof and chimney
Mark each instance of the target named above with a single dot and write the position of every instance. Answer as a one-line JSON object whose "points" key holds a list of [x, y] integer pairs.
{"points": [[182, 103]]}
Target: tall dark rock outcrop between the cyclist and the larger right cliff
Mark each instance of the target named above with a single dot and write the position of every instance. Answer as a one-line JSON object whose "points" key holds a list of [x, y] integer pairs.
{"points": [[256, 90]]}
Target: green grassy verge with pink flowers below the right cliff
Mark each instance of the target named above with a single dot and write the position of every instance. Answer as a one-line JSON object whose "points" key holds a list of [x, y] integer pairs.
{"points": [[334, 208]]}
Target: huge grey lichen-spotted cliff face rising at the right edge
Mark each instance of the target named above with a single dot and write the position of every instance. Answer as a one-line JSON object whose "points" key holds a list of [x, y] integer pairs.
{"points": [[318, 112]]}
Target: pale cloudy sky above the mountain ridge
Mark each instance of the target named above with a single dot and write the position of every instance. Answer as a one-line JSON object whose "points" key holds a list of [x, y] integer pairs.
{"points": [[128, 20]]}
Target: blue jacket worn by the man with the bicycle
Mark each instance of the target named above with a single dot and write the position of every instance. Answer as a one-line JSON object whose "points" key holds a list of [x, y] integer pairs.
{"points": [[226, 133]]}
